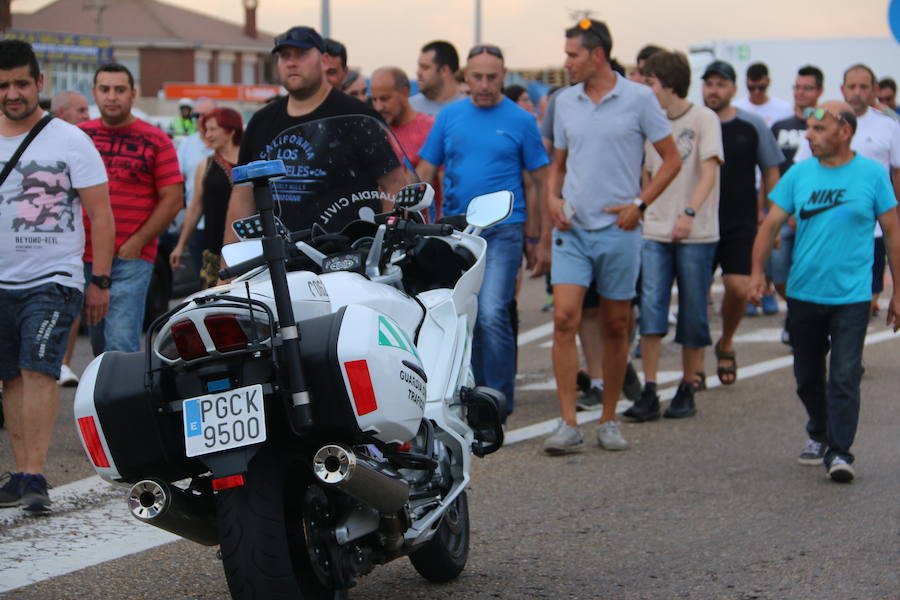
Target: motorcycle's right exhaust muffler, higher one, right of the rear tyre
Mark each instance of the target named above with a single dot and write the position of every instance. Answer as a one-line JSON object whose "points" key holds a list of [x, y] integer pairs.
{"points": [[338, 465]]}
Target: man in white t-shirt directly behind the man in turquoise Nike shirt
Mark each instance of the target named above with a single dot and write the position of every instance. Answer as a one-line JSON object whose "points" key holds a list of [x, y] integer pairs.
{"points": [[877, 137]]}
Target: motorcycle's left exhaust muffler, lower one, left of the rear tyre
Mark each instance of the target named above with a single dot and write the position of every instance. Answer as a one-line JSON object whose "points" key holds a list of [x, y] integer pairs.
{"points": [[177, 511]]}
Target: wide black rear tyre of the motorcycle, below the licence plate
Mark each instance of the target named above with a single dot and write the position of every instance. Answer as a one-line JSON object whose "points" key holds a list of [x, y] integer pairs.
{"points": [[261, 538]]}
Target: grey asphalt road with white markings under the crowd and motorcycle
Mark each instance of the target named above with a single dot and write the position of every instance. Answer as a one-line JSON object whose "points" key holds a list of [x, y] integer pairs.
{"points": [[713, 507]]}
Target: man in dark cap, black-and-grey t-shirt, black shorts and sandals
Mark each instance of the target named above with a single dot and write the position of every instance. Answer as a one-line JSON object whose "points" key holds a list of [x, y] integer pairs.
{"points": [[748, 143]]}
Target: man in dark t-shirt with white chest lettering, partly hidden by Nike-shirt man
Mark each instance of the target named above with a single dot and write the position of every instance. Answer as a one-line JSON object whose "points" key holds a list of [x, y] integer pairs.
{"points": [[790, 134]]}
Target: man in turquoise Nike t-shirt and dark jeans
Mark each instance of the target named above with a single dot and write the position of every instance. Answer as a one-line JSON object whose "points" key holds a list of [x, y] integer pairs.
{"points": [[836, 198]]}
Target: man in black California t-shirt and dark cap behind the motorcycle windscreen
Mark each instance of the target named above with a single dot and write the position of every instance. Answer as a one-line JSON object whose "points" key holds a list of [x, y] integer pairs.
{"points": [[339, 170]]}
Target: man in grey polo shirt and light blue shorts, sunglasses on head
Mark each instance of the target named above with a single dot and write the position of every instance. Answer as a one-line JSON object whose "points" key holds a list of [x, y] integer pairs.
{"points": [[599, 132]]}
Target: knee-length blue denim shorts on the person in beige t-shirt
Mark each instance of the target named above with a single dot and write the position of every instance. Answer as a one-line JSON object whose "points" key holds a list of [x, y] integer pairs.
{"points": [[691, 266]]}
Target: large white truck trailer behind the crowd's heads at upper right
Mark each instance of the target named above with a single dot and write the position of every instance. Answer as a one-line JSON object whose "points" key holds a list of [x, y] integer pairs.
{"points": [[785, 56]]}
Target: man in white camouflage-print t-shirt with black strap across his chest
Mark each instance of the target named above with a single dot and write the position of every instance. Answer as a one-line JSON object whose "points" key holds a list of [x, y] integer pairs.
{"points": [[41, 273]]}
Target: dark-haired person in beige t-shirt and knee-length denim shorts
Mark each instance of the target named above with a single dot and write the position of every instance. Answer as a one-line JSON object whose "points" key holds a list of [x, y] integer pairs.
{"points": [[681, 230]]}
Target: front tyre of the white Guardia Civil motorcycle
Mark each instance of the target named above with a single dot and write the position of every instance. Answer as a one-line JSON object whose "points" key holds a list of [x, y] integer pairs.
{"points": [[444, 556]]}
